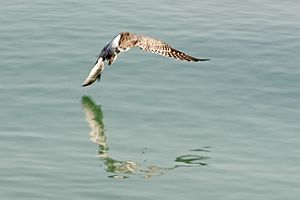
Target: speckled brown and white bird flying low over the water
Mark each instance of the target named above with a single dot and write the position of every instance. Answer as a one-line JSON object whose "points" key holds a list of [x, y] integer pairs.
{"points": [[127, 40]]}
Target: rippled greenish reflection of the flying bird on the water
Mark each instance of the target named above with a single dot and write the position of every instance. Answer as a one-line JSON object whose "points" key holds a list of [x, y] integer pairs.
{"points": [[123, 169]]}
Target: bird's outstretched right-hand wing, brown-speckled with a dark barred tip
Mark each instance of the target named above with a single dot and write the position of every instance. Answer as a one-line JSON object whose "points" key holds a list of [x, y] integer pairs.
{"points": [[159, 47]]}
